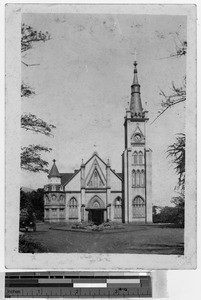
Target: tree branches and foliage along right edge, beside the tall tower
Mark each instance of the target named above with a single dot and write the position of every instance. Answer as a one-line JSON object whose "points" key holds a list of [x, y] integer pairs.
{"points": [[177, 150]]}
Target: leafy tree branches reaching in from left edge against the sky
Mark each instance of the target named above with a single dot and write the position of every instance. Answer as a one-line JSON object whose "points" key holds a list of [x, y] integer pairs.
{"points": [[31, 155]]}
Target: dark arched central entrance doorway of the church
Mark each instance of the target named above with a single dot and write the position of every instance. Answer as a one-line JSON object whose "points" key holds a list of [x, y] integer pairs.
{"points": [[96, 210]]}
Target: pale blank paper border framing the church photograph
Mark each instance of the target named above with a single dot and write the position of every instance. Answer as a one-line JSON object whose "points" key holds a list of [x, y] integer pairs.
{"points": [[95, 261]]}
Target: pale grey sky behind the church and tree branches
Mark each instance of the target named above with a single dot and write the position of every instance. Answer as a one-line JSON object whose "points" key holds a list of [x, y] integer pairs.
{"points": [[82, 85]]}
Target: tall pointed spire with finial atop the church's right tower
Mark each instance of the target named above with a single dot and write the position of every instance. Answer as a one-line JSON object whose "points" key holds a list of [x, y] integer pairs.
{"points": [[135, 103]]}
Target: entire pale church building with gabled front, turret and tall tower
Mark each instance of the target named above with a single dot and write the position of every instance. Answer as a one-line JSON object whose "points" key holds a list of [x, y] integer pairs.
{"points": [[95, 192]]}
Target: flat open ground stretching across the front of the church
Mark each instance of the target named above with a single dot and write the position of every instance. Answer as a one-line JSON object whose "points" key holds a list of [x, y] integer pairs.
{"points": [[140, 239]]}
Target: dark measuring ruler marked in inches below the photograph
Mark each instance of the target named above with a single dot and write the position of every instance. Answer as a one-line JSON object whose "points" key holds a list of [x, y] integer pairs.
{"points": [[77, 285]]}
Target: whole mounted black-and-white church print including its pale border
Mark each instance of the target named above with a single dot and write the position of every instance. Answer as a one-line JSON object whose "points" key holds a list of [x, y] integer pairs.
{"points": [[102, 128]]}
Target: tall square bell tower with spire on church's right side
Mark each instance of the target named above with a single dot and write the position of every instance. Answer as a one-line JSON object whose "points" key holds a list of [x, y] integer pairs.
{"points": [[136, 161]]}
